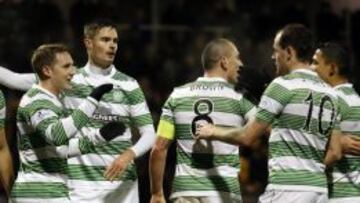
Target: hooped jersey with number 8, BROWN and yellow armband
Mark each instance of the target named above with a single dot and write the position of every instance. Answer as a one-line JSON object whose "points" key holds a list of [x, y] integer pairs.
{"points": [[204, 168]]}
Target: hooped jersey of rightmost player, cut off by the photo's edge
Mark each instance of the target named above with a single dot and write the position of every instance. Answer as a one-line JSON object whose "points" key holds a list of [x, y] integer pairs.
{"points": [[346, 172]]}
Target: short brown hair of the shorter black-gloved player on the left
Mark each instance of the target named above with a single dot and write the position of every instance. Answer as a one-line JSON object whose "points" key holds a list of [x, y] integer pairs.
{"points": [[45, 55]]}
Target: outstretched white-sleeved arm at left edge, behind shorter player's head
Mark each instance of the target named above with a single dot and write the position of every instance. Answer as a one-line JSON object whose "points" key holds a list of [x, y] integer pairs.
{"points": [[18, 81]]}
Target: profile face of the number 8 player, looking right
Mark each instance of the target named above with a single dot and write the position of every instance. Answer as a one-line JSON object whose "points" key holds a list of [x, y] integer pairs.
{"points": [[234, 65]]}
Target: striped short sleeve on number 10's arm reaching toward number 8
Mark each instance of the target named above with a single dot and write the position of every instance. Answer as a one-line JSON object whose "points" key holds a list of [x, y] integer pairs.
{"points": [[275, 97]]}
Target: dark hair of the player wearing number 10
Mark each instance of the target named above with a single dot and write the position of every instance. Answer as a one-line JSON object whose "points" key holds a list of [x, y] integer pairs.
{"points": [[300, 38]]}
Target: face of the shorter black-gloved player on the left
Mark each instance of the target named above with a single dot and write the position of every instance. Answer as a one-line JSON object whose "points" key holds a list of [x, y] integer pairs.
{"points": [[62, 71]]}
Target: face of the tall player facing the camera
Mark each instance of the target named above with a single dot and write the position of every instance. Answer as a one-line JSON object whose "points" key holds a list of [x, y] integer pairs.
{"points": [[102, 48]]}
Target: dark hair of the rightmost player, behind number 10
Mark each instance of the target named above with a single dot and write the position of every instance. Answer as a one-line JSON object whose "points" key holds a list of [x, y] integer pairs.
{"points": [[336, 53]]}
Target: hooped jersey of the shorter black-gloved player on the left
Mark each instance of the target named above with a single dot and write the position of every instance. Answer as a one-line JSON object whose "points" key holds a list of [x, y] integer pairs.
{"points": [[44, 132]]}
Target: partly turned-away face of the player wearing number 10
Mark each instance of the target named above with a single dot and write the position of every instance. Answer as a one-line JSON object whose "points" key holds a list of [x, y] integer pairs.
{"points": [[280, 56]]}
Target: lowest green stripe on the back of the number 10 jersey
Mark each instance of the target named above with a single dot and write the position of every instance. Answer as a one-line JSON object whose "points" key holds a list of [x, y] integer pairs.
{"points": [[298, 177]]}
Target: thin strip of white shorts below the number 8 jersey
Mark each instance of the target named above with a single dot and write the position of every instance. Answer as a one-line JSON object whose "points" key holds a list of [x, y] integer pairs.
{"points": [[204, 200]]}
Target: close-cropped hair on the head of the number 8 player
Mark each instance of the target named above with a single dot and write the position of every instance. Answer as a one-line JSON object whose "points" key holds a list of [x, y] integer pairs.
{"points": [[214, 50]]}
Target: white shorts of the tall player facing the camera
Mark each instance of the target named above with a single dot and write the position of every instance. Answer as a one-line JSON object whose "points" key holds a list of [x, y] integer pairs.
{"points": [[124, 193]]}
